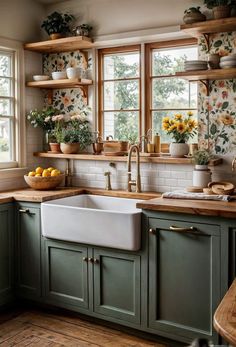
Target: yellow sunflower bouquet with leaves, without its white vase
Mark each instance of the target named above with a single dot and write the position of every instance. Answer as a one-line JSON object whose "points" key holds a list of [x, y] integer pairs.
{"points": [[179, 127]]}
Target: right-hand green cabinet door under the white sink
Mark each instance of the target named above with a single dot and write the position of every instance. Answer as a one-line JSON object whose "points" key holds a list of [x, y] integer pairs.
{"points": [[117, 285]]}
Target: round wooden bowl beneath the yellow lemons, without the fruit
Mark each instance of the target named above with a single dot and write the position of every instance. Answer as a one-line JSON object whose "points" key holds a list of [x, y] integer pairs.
{"points": [[44, 183]]}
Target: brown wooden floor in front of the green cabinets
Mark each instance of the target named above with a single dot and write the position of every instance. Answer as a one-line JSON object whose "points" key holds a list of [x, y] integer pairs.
{"points": [[33, 327]]}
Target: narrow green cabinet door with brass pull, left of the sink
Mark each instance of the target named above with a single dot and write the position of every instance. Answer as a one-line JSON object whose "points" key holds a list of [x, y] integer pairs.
{"points": [[28, 250]]}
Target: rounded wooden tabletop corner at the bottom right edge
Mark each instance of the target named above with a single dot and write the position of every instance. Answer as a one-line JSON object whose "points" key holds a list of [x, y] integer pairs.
{"points": [[225, 316]]}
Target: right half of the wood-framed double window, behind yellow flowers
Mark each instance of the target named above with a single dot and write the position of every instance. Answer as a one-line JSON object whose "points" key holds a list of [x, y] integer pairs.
{"points": [[168, 95]]}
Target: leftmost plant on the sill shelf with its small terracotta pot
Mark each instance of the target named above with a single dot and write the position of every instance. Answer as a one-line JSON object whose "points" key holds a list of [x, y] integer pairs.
{"points": [[44, 120]]}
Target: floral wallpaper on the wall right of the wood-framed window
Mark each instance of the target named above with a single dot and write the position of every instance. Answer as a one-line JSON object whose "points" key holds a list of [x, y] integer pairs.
{"points": [[217, 112]]}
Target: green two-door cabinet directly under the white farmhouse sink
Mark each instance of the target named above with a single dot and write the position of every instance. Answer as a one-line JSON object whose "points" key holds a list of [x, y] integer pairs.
{"points": [[103, 282]]}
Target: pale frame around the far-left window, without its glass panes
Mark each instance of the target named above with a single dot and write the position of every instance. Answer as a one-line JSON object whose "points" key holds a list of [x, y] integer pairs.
{"points": [[19, 131]]}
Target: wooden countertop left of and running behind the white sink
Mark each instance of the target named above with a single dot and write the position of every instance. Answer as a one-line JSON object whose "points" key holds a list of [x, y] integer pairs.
{"points": [[31, 195]]}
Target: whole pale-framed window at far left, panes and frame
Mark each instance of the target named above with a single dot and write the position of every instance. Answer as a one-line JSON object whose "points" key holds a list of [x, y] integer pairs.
{"points": [[10, 155]]}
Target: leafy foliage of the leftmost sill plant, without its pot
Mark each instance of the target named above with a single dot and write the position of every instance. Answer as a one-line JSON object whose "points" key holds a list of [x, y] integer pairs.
{"points": [[43, 118]]}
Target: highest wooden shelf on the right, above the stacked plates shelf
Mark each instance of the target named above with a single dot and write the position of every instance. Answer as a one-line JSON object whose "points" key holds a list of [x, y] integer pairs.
{"points": [[210, 27]]}
